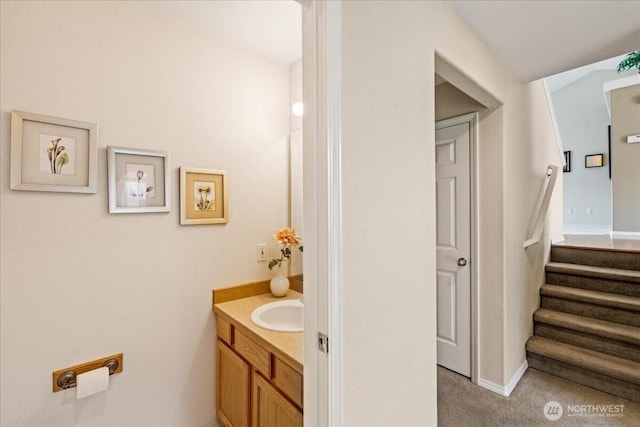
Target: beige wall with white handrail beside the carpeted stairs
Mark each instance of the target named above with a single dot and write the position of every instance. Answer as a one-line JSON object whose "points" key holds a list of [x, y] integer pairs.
{"points": [[525, 268]]}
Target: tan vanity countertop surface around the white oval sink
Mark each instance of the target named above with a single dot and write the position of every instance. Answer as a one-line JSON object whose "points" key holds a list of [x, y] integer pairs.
{"points": [[287, 345]]}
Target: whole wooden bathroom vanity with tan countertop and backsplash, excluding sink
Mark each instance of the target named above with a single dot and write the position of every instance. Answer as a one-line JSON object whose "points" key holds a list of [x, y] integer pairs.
{"points": [[259, 372]]}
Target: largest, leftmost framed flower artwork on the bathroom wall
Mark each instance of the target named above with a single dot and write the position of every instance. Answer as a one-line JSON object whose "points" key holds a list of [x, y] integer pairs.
{"points": [[53, 154]]}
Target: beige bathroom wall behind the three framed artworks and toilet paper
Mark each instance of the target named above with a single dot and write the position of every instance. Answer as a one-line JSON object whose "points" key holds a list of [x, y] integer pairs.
{"points": [[78, 283]]}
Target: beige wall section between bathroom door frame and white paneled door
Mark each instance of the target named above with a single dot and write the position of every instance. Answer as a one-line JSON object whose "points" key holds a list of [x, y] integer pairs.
{"points": [[388, 217]]}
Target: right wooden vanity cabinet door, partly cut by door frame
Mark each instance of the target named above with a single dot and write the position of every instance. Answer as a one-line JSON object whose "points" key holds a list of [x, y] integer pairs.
{"points": [[270, 408]]}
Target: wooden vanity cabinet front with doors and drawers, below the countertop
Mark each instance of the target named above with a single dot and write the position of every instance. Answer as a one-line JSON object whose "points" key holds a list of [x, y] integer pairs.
{"points": [[254, 387]]}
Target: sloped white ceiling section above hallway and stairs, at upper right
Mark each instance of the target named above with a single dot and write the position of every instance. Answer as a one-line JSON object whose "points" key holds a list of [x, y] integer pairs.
{"points": [[536, 39]]}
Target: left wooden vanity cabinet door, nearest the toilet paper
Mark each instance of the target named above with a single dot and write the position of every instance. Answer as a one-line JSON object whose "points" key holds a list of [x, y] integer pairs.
{"points": [[233, 381]]}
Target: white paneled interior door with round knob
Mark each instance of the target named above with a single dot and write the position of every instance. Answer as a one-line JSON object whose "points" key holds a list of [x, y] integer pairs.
{"points": [[453, 199]]}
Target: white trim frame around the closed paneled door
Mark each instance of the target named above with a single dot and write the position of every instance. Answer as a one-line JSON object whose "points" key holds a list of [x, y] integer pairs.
{"points": [[472, 119]]}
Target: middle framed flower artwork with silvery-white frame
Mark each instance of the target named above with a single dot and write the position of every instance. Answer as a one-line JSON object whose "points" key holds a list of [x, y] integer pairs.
{"points": [[138, 180]]}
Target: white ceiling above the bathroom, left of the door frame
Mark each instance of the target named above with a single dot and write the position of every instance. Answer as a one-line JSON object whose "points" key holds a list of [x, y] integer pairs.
{"points": [[272, 28]]}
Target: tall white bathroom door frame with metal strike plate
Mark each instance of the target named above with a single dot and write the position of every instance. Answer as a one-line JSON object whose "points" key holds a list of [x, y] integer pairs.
{"points": [[322, 97]]}
